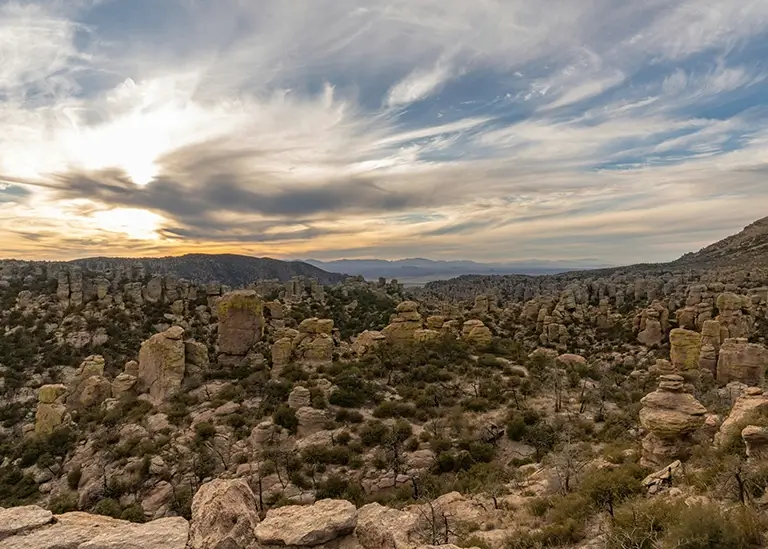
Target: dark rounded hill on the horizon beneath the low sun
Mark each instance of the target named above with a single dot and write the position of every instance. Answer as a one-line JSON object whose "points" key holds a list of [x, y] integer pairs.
{"points": [[233, 270]]}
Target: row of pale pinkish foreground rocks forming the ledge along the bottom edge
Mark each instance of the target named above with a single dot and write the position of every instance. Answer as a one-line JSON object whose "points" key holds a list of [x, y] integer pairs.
{"points": [[225, 516]]}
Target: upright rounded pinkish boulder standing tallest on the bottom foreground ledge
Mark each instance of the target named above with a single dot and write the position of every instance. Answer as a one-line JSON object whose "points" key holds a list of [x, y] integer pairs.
{"points": [[224, 516]]}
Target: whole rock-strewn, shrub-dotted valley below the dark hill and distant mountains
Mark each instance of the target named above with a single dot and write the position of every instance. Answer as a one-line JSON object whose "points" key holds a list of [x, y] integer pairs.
{"points": [[622, 408]]}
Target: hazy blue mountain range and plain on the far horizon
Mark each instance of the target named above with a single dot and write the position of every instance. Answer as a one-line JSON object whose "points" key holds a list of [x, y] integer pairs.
{"points": [[420, 271]]}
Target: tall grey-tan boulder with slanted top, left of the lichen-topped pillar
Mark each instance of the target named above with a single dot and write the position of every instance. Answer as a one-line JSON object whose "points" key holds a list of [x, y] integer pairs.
{"points": [[162, 364]]}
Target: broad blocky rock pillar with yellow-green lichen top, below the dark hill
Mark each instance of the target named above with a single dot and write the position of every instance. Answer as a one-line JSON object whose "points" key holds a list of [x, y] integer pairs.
{"points": [[241, 321]]}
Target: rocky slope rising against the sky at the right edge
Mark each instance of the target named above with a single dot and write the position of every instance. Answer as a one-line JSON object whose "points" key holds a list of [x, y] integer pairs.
{"points": [[749, 247]]}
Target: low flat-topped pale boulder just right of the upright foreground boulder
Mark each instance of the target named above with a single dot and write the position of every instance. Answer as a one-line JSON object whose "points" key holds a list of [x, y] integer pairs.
{"points": [[307, 525]]}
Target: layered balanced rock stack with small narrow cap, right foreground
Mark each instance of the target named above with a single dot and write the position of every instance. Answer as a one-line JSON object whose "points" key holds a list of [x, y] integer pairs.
{"points": [[670, 416]]}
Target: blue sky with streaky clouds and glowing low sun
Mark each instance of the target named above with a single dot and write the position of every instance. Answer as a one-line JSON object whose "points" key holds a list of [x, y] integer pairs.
{"points": [[491, 130]]}
